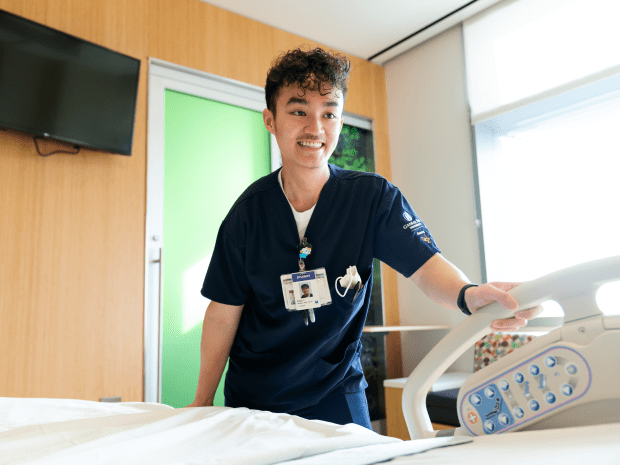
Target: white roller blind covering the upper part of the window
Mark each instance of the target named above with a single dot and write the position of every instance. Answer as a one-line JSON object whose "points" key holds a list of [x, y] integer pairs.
{"points": [[518, 52]]}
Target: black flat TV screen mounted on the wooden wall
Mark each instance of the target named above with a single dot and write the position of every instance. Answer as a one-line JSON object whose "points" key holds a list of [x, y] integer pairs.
{"points": [[58, 86]]}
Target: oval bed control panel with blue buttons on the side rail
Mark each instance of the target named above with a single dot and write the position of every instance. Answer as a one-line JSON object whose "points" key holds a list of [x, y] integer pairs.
{"points": [[528, 391]]}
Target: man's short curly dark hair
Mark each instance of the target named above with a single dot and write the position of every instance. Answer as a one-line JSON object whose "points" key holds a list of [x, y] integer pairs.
{"points": [[314, 70]]}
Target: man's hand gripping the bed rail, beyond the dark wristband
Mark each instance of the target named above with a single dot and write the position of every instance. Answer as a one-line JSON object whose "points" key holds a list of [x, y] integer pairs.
{"points": [[477, 297]]}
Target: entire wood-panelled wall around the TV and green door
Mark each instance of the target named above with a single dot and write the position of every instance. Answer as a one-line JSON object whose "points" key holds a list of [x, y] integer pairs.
{"points": [[72, 226]]}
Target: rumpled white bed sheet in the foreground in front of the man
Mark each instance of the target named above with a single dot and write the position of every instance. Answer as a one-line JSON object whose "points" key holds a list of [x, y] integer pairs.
{"points": [[56, 431]]}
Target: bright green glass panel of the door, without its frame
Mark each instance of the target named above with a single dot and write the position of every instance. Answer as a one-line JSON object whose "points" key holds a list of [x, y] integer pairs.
{"points": [[212, 152]]}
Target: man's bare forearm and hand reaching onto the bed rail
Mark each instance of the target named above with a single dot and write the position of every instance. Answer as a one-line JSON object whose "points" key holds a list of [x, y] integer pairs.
{"points": [[441, 281]]}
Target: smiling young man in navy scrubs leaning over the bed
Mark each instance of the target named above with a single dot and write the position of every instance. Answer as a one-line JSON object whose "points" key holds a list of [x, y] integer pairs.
{"points": [[278, 363]]}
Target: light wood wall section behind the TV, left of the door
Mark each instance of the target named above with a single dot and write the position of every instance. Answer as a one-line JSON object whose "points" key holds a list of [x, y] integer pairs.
{"points": [[71, 239]]}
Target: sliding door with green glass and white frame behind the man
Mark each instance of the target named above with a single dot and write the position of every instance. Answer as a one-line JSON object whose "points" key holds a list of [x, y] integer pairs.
{"points": [[207, 143]]}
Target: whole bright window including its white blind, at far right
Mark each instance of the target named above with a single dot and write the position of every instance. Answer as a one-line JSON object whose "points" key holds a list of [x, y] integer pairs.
{"points": [[543, 82]]}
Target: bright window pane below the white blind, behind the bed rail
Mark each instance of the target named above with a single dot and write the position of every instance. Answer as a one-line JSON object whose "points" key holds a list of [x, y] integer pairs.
{"points": [[549, 187]]}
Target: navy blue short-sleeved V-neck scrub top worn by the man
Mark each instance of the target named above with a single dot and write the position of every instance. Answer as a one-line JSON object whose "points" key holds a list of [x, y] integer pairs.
{"points": [[276, 362]]}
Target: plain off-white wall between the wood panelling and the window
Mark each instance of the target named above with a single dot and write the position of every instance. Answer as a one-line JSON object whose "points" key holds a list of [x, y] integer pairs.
{"points": [[432, 164]]}
